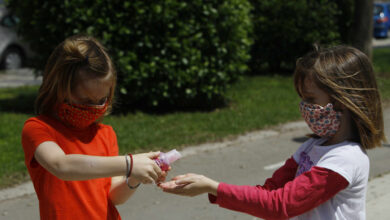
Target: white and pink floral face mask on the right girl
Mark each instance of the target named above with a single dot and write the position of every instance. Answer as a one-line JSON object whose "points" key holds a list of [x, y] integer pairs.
{"points": [[323, 121]]}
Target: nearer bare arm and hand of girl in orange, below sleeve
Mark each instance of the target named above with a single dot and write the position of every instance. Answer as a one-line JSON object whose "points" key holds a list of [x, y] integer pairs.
{"points": [[85, 167]]}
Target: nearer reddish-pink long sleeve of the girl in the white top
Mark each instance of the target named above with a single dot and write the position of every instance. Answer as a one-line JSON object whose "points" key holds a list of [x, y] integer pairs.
{"points": [[300, 195]]}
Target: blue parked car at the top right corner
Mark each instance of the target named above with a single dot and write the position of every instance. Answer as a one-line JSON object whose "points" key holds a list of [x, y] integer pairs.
{"points": [[381, 20]]}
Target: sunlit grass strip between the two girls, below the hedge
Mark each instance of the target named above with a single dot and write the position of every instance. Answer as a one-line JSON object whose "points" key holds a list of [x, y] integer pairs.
{"points": [[252, 106]]}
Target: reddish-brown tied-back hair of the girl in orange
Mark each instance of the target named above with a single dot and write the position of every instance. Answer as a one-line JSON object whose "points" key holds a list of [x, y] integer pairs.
{"points": [[62, 71]]}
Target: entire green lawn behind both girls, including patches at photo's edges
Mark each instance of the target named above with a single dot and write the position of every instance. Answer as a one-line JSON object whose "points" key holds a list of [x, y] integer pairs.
{"points": [[254, 103]]}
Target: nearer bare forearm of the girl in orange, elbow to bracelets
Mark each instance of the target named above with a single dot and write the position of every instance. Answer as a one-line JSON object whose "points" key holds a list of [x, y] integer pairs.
{"points": [[85, 167]]}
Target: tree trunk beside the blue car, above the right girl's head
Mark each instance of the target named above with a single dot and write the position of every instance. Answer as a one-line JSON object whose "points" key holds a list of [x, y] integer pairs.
{"points": [[361, 31]]}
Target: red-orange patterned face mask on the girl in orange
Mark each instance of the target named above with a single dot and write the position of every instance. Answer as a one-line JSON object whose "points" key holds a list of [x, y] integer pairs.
{"points": [[81, 116]]}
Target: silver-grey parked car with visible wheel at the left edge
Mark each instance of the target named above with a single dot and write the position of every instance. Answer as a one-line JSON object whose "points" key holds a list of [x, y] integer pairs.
{"points": [[13, 51]]}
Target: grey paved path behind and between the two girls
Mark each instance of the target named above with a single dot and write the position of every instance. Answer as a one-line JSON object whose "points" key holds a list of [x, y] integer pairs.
{"points": [[247, 160]]}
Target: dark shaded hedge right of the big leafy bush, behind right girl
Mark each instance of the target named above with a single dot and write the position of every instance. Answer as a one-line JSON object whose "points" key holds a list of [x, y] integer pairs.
{"points": [[286, 30]]}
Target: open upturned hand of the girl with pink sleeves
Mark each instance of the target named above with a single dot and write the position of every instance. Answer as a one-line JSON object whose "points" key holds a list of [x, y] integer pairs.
{"points": [[190, 185]]}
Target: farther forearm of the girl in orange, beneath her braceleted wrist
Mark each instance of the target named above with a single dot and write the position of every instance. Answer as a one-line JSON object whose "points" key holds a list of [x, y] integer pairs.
{"points": [[120, 192]]}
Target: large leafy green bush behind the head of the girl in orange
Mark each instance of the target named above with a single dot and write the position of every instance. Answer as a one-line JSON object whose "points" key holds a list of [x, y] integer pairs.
{"points": [[167, 52]]}
